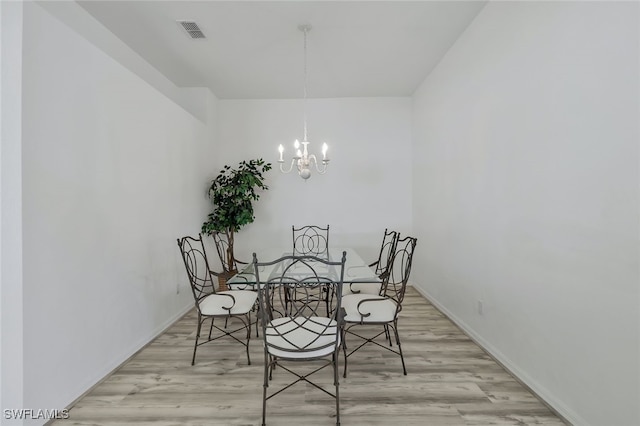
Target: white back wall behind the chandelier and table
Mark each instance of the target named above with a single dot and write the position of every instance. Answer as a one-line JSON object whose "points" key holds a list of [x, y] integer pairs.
{"points": [[366, 189]]}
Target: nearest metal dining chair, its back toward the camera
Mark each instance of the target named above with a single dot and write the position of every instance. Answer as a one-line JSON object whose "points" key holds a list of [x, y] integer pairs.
{"points": [[300, 330]]}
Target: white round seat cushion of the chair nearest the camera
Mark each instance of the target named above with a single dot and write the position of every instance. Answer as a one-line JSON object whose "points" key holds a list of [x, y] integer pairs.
{"points": [[291, 334]]}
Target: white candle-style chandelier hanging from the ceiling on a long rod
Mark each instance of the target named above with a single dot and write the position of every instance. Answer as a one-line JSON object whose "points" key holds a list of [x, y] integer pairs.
{"points": [[303, 161]]}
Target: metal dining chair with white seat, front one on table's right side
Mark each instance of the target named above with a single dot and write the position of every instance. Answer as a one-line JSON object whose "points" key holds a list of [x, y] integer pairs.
{"points": [[380, 310]]}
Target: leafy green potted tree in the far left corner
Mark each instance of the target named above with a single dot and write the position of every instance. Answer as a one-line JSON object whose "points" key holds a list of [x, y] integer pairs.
{"points": [[232, 193]]}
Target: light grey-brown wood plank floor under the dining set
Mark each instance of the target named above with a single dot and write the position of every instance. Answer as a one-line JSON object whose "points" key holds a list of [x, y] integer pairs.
{"points": [[450, 381]]}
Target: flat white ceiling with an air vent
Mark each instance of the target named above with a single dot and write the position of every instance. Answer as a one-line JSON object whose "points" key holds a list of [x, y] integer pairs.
{"points": [[253, 49]]}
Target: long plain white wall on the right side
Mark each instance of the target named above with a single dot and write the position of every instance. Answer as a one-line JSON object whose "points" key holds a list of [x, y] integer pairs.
{"points": [[526, 198]]}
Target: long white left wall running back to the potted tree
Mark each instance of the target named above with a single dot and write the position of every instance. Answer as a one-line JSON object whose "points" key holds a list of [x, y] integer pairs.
{"points": [[113, 173]]}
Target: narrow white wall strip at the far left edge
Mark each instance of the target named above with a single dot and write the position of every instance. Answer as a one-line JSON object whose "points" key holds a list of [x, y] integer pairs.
{"points": [[11, 323]]}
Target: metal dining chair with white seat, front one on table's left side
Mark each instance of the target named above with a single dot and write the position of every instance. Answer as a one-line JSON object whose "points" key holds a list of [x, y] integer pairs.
{"points": [[212, 304]]}
